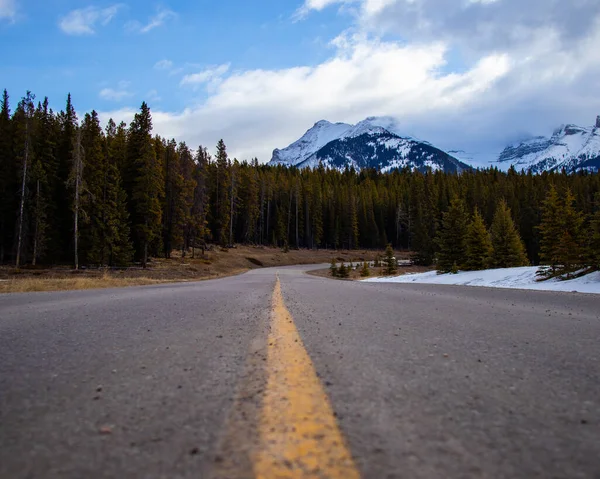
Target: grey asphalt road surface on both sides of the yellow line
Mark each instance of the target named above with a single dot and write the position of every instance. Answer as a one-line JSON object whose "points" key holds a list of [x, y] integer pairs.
{"points": [[424, 381]]}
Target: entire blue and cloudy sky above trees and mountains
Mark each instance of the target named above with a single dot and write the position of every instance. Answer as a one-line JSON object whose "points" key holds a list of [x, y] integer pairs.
{"points": [[469, 75]]}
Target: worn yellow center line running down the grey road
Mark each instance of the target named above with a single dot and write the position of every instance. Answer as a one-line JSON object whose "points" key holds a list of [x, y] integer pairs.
{"points": [[299, 436]]}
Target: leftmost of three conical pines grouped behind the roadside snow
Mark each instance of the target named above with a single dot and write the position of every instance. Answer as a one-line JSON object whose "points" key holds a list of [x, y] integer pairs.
{"points": [[452, 237]]}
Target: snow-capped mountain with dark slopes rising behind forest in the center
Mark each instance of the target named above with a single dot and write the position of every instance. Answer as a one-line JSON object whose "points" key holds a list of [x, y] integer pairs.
{"points": [[372, 143]]}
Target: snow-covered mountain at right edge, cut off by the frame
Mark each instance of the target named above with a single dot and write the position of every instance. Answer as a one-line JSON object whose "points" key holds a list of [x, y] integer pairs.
{"points": [[571, 147]]}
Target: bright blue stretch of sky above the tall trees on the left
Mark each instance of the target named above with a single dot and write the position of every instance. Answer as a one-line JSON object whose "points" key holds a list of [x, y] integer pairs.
{"points": [[108, 49]]}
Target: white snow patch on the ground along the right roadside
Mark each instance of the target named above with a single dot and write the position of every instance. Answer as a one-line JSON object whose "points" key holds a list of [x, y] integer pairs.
{"points": [[517, 278]]}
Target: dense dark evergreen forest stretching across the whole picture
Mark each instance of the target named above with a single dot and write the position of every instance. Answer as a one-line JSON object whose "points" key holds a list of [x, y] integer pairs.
{"points": [[75, 192]]}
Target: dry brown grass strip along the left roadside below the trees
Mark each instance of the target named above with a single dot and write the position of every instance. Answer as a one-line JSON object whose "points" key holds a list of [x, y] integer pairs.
{"points": [[216, 263]]}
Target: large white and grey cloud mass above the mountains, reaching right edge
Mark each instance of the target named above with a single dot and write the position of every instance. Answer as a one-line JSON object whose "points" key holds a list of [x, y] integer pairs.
{"points": [[463, 77]]}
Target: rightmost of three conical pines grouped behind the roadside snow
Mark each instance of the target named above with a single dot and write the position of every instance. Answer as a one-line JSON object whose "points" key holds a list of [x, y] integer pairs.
{"points": [[508, 248]]}
